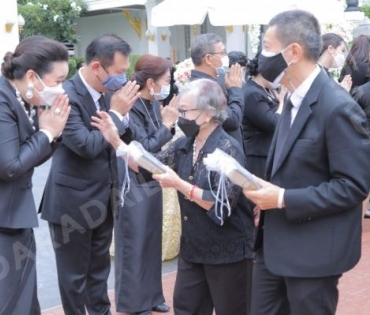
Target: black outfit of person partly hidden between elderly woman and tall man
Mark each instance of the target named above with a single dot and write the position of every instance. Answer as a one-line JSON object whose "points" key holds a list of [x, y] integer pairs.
{"points": [[259, 122]]}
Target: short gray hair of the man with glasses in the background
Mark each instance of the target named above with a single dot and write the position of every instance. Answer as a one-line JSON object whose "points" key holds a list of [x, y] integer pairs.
{"points": [[202, 45]]}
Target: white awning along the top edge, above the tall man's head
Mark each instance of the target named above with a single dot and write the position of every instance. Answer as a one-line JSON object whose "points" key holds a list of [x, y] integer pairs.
{"points": [[240, 12]]}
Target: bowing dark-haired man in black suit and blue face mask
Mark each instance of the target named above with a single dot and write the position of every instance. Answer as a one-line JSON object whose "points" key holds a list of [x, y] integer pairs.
{"points": [[80, 196]]}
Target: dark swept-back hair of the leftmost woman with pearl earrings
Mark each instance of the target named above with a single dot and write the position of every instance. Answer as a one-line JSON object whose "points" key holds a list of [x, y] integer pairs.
{"points": [[36, 53]]}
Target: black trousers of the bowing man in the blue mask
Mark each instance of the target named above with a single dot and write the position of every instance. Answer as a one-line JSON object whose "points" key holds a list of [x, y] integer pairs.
{"points": [[83, 265]]}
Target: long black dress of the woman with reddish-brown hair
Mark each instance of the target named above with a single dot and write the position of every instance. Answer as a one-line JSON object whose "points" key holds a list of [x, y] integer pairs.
{"points": [[138, 228]]}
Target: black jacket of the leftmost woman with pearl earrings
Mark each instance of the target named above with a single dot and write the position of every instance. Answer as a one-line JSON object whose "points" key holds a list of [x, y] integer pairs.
{"points": [[22, 148]]}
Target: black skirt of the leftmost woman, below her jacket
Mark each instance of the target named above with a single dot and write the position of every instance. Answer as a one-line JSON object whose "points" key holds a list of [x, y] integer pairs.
{"points": [[18, 286]]}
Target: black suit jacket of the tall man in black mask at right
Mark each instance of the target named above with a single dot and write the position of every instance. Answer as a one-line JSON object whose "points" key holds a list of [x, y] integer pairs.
{"points": [[325, 169]]}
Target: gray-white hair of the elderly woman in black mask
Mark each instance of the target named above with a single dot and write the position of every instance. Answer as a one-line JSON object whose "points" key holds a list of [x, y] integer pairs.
{"points": [[207, 95]]}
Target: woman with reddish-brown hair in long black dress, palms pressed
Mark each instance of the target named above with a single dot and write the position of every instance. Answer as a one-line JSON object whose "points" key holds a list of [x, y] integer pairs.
{"points": [[138, 229]]}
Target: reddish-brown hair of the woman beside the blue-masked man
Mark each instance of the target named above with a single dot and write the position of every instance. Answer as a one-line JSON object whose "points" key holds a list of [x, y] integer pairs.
{"points": [[149, 66]]}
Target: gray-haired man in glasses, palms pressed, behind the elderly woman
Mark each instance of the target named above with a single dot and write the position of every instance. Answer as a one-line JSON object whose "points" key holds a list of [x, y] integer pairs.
{"points": [[210, 60]]}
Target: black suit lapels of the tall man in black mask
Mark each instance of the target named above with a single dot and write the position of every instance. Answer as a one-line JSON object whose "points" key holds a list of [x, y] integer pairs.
{"points": [[300, 121]]}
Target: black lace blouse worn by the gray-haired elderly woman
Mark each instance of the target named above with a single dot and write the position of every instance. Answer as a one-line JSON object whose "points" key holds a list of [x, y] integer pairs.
{"points": [[204, 239]]}
